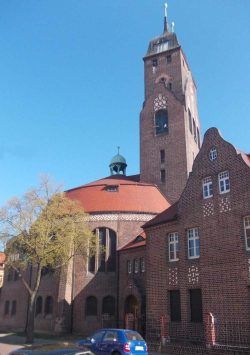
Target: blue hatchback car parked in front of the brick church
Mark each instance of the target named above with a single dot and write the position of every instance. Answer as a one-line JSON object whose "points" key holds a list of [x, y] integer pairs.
{"points": [[115, 342]]}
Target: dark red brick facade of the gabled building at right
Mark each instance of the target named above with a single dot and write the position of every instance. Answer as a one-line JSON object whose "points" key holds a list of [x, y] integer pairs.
{"points": [[221, 271]]}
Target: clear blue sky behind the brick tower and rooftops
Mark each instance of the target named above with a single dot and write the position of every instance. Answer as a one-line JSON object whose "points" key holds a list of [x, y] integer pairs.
{"points": [[71, 81]]}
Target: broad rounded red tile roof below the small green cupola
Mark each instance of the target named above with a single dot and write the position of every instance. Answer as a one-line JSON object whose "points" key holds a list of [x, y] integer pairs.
{"points": [[131, 196]]}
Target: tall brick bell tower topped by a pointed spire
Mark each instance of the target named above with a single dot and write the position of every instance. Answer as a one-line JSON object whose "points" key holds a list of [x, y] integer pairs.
{"points": [[169, 120]]}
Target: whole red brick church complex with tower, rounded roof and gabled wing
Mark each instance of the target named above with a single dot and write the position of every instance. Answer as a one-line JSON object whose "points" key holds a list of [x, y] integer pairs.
{"points": [[174, 241]]}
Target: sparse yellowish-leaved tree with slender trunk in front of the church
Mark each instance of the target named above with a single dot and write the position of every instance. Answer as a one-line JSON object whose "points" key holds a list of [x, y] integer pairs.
{"points": [[43, 229]]}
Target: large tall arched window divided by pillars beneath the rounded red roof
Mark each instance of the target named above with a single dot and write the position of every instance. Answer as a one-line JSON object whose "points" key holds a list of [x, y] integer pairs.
{"points": [[105, 256]]}
